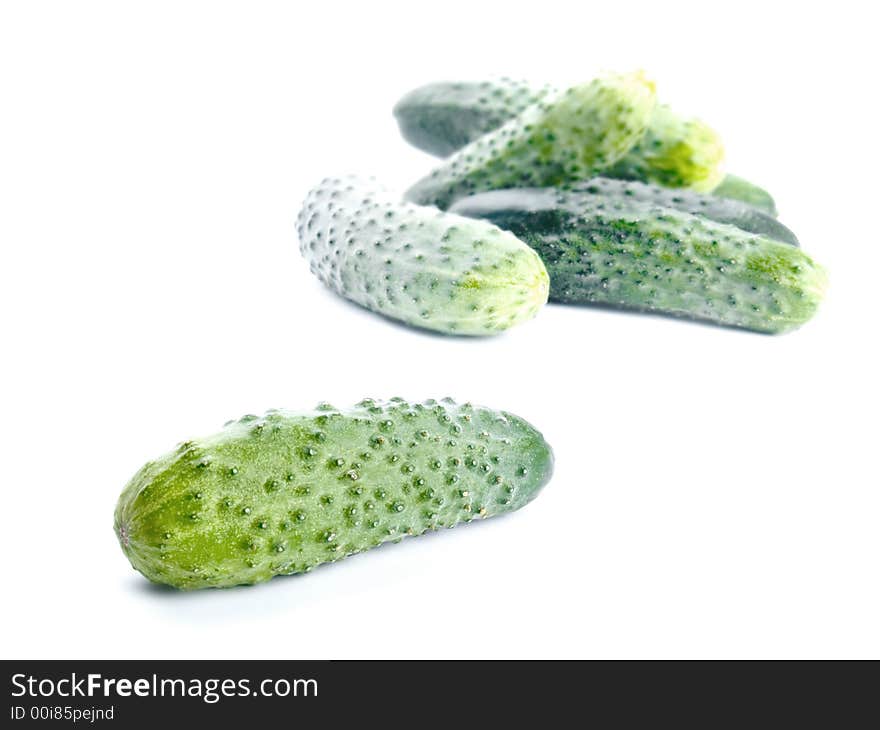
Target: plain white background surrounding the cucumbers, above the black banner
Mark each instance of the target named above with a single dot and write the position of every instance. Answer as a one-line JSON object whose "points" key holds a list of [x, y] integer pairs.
{"points": [[716, 492]]}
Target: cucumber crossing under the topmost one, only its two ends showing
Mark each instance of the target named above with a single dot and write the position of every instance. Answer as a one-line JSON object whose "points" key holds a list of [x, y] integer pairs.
{"points": [[440, 118]]}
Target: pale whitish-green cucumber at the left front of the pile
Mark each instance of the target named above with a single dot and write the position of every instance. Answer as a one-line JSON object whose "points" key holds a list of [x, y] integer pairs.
{"points": [[416, 264]]}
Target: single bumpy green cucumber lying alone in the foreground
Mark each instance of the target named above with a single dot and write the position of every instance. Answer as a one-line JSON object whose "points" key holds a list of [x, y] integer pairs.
{"points": [[286, 492]]}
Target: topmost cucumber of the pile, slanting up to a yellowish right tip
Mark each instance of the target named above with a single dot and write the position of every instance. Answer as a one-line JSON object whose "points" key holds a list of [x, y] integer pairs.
{"points": [[565, 137]]}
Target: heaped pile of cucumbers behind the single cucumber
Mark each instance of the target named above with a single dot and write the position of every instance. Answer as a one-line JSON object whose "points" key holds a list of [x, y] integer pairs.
{"points": [[625, 203]]}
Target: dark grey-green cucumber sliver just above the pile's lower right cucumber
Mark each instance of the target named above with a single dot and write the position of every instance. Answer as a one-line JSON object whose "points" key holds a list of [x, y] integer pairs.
{"points": [[722, 210]]}
